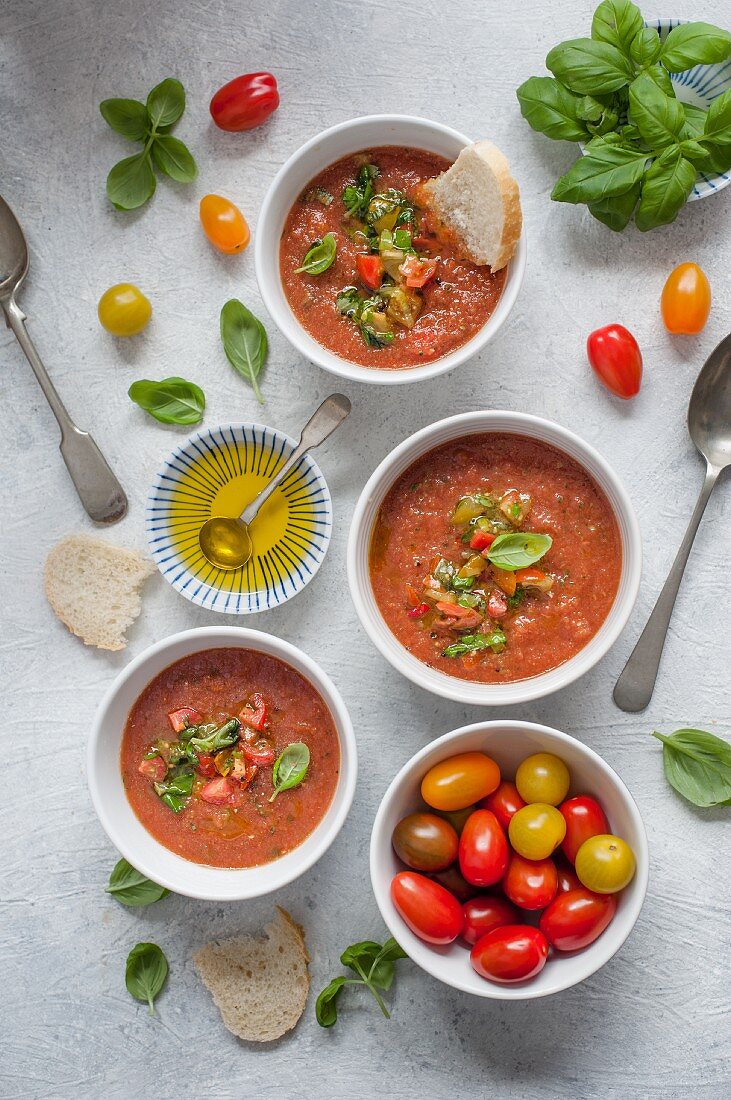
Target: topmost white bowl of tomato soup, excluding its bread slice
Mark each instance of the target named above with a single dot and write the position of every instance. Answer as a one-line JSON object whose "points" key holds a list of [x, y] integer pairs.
{"points": [[348, 203]]}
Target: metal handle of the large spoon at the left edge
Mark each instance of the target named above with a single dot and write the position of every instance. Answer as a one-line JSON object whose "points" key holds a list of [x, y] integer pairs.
{"points": [[99, 491]]}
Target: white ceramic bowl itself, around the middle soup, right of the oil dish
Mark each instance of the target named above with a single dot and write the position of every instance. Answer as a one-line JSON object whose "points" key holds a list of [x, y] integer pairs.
{"points": [[367, 511]]}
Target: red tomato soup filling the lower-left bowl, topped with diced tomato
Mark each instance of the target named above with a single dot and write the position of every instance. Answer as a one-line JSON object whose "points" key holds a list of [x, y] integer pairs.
{"points": [[200, 750]]}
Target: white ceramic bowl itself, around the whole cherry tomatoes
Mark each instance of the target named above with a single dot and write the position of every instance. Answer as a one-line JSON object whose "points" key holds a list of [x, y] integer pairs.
{"points": [[510, 743]]}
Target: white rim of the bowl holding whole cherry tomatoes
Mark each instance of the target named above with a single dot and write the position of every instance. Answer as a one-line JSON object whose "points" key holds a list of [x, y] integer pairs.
{"points": [[519, 992]]}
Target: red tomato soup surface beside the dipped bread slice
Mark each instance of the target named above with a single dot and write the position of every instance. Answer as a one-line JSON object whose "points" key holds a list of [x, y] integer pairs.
{"points": [[394, 296]]}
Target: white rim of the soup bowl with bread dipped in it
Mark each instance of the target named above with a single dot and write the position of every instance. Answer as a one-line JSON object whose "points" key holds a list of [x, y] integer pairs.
{"points": [[267, 260]]}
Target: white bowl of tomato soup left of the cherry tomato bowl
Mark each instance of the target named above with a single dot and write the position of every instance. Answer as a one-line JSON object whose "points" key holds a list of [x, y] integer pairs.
{"points": [[223, 763]]}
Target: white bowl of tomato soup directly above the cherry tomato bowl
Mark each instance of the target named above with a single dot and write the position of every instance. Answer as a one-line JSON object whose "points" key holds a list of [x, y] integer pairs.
{"points": [[494, 558]]}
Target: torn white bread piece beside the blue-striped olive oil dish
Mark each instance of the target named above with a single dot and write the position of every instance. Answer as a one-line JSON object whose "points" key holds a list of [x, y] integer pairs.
{"points": [[94, 588]]}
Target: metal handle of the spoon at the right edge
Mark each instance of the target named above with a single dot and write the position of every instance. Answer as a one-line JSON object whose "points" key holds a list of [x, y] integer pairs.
{"points": [[636, 685]]}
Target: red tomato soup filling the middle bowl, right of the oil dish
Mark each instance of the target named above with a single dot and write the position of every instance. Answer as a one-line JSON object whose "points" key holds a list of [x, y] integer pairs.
{"points": [[495, 558]]}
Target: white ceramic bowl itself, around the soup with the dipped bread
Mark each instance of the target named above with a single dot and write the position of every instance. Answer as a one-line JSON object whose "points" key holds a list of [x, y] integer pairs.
{"points": [[289, 185]]}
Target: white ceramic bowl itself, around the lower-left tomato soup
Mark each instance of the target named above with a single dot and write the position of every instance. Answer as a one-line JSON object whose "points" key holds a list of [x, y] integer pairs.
{"points": [[118, 819]]}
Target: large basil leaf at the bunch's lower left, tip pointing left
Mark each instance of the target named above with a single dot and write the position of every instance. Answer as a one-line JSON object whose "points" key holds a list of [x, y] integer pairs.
{"points": [[607, 170]]}
